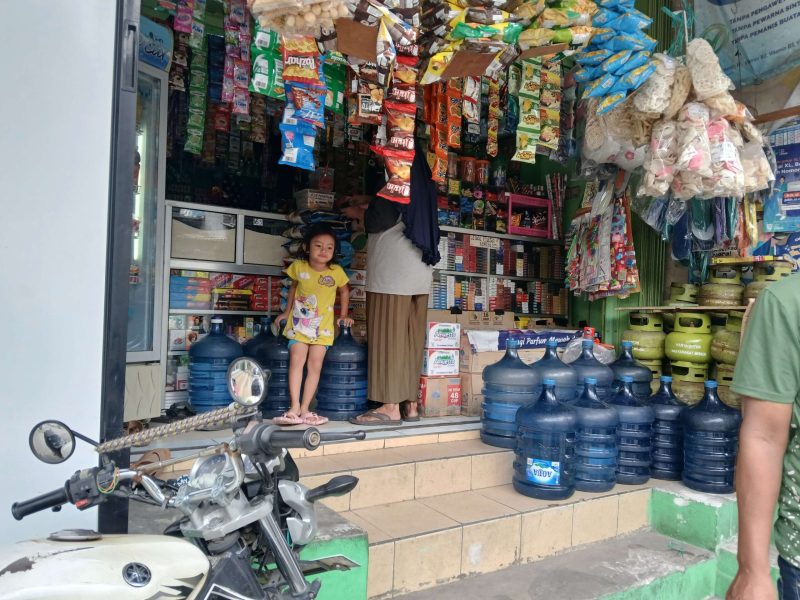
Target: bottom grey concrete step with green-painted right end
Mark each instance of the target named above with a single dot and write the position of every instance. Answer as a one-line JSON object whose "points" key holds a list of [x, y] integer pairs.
{"points": [[642, 565]]}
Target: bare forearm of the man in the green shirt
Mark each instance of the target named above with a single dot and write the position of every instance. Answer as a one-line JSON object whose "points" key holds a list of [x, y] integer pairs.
{"points": [[762, 443]]}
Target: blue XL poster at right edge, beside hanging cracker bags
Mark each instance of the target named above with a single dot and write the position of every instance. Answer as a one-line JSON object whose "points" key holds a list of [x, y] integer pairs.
{"points": [[782, 207]]}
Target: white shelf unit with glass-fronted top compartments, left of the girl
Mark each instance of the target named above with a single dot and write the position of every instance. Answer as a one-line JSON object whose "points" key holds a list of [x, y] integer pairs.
{"points": [[220, 262]]}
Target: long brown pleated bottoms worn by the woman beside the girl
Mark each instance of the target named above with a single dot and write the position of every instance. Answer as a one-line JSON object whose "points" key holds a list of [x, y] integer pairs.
{"points": [[396, 330]]}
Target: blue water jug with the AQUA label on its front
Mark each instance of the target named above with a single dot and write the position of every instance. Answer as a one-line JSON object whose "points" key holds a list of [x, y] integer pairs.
{"points": [[544, 462]]}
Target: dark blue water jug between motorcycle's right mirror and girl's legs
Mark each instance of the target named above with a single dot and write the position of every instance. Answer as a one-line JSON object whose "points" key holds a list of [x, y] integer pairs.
{"points": [[272, 353]]}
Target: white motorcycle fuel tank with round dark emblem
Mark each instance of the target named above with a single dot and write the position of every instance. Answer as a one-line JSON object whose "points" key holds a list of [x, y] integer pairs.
{"points": [[122, 567]]}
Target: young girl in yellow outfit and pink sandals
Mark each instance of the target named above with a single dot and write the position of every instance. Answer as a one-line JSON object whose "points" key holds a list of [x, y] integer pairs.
{"points": [[309, 317]]}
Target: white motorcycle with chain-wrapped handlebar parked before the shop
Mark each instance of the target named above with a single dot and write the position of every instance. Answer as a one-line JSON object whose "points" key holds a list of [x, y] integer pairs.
{"points": [[244, 514]]}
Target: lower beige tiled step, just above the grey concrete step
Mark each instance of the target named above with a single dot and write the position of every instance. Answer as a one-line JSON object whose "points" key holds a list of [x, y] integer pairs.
{"points": [[422, 543]]}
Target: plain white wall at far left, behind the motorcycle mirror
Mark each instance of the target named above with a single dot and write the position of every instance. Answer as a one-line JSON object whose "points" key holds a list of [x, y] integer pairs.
{"points": [[55, 141]]}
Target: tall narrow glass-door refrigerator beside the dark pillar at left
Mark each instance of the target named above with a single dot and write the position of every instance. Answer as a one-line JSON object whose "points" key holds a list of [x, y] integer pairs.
{"points": [[145, 278]]}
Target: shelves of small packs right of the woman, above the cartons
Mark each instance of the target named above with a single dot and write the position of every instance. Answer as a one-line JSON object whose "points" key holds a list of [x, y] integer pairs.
{"points": [[483, 270]]}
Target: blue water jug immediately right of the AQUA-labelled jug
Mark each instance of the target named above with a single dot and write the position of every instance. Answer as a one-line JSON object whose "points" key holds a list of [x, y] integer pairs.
{"points": [[595, 441]]}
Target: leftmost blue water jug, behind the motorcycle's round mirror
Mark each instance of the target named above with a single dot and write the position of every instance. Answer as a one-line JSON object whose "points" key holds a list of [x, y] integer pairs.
{"points": [[208, 369]]}
